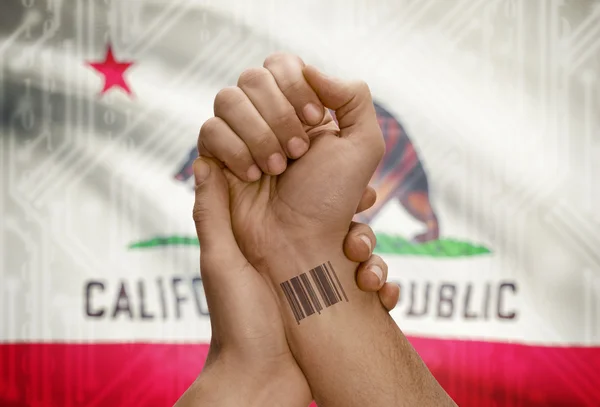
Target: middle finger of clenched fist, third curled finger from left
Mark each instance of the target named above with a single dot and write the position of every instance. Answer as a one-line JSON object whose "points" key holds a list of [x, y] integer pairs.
{"points": [[262, 90]]}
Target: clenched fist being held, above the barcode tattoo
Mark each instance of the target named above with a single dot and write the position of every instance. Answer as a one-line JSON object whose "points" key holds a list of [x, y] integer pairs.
{"points": [[303, 203]]}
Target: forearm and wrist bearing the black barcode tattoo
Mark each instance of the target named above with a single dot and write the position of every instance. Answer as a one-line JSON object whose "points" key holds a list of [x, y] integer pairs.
{"points": [[352, 352]]}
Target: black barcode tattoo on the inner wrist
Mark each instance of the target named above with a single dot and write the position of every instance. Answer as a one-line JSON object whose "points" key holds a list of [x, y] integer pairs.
{"points": [[301, 293]]}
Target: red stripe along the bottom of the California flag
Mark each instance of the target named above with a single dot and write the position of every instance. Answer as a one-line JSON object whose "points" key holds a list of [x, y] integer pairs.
{"points": [[475, 373]]}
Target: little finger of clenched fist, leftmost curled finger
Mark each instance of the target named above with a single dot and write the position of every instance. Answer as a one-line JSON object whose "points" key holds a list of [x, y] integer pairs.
{"points": [[218, 140]]}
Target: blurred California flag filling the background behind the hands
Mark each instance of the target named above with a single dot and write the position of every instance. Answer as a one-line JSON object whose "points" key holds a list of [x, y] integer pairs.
{"points": [[490, 112]]}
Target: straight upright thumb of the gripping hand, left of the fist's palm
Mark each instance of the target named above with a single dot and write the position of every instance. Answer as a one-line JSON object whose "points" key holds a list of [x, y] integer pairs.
{"points": [[213, 219]]}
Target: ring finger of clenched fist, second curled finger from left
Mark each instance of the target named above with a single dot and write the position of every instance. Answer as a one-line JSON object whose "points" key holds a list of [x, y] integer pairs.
{"points": [[233, 106]]}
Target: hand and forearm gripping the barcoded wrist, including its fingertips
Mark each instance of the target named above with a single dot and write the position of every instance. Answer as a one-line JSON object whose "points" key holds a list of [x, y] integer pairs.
{"points": [[249, 359]]}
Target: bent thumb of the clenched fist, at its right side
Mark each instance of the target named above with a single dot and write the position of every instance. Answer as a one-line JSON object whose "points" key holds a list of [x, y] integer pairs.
{"points": [[354, 111]]}
